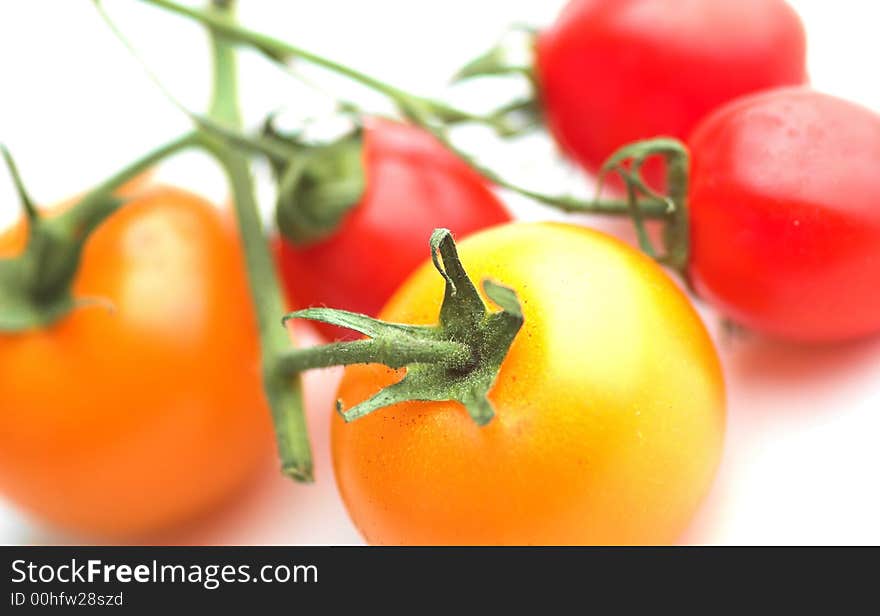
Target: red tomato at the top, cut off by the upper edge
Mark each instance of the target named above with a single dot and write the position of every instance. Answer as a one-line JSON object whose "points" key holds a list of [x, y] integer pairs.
{"points": [[611, 72]]}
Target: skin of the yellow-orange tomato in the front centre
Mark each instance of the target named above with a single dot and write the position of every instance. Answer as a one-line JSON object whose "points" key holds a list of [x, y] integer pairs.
{"points": [[610, 408]]}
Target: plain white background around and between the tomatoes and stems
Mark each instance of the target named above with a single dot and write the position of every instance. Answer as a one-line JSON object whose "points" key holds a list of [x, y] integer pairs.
{"points": [[801, 460]]}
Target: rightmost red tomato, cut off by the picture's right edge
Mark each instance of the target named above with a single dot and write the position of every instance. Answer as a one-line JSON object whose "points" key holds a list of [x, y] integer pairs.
{"points": [[785, 223]]}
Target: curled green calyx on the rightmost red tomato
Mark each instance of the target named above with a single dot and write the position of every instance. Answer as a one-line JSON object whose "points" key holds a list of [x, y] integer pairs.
{"points": [[627, 163]]}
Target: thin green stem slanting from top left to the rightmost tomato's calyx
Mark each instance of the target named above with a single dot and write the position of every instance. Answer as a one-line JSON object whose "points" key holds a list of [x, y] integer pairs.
{"points": [[425, 112]]}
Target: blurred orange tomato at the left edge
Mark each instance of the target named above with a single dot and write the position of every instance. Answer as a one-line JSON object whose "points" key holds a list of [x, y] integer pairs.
{"points": [[127, 417]]}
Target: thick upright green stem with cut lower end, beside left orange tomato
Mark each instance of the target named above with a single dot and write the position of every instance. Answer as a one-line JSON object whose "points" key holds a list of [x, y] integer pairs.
{"points": [[284, 392]]}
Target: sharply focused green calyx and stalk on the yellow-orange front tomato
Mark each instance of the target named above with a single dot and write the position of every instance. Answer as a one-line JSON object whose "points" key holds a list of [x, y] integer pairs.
{"points": [[458, 359]]}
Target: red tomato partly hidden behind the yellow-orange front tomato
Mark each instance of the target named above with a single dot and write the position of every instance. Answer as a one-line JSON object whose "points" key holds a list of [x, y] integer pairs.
{"points": [[413, 185]]}
